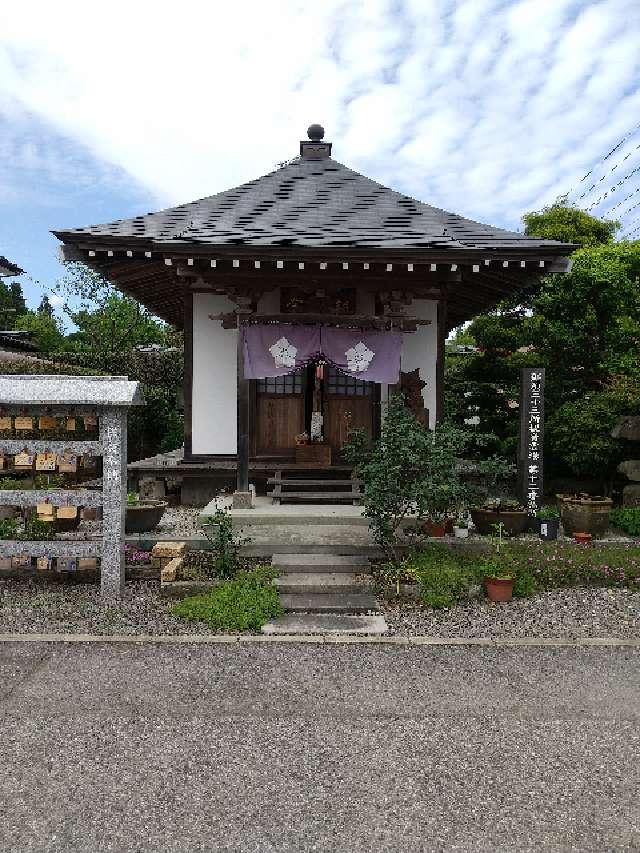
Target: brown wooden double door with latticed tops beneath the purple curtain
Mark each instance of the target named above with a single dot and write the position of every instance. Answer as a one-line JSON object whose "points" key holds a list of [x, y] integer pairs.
{"points": [[284, 405]]}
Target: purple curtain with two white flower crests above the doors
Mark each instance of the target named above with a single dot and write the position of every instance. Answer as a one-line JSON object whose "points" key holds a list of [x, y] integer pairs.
{"points": [[279, 349]]}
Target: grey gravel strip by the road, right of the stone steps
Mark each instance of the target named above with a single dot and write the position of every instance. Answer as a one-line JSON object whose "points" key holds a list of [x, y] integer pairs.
{"points": [[559, 613]]}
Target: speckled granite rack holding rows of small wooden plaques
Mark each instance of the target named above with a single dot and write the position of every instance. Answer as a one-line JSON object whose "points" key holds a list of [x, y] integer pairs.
{"points": [[110, 398]]}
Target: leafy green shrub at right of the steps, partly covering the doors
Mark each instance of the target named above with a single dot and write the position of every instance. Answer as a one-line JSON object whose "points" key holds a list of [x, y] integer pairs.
{"points": [[412, 471]]}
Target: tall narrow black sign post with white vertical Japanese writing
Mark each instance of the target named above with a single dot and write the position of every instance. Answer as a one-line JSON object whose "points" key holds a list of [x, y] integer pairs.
{"points": [[531, 437]]}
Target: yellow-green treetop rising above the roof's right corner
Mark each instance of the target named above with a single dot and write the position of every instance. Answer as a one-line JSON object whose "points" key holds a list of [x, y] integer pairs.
{"points": [[561, 221]]}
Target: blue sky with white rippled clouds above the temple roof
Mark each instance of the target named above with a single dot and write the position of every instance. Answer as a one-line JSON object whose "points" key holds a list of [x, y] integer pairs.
{"points": [[486, 107]]}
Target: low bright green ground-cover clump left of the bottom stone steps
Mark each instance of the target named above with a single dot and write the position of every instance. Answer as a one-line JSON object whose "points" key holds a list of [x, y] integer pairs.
{"points": [[242, 604]]}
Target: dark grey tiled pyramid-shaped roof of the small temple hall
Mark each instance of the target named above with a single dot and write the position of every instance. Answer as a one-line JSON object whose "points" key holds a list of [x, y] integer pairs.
{"points": [[314, 204]]}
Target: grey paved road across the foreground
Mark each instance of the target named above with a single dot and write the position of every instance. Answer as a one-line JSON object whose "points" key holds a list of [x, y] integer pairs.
{"points": [[325, 748]]}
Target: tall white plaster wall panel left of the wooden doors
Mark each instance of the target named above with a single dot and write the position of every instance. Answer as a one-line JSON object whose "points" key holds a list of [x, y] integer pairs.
{"points": [[213, 406]]}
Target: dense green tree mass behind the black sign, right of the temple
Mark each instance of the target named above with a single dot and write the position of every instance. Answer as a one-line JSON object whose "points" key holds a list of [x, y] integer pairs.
{"points": [[584, 327]]}
